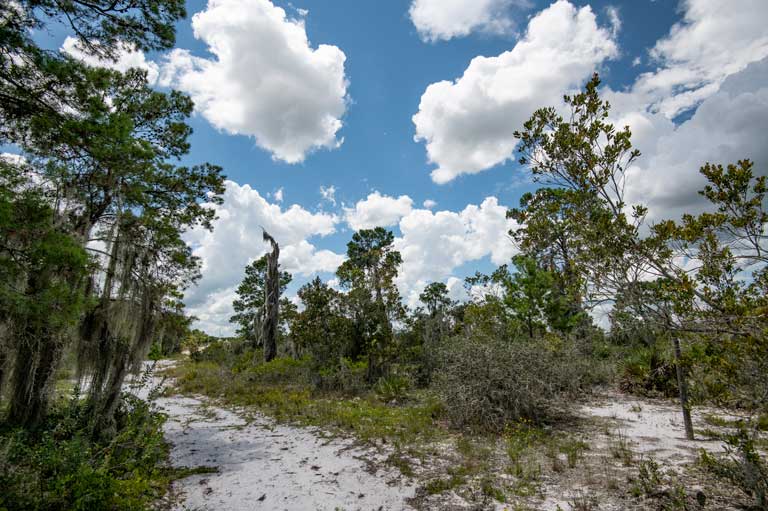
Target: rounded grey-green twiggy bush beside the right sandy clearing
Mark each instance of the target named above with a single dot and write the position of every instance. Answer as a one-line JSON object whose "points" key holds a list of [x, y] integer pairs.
{"points": [[487, 384]]}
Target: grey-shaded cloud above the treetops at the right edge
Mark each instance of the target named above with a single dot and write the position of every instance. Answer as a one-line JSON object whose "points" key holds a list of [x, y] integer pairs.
{"points": [[727, 126]]}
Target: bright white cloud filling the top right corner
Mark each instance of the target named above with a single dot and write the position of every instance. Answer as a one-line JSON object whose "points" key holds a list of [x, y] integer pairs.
{"points": [[714, 40]]}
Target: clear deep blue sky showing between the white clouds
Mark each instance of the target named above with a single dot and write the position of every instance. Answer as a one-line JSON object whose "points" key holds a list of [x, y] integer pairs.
{"points": [[388, 67]]}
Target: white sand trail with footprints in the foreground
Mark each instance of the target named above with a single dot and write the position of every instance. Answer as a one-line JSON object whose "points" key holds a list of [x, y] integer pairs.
{"points": [[263, 465]]}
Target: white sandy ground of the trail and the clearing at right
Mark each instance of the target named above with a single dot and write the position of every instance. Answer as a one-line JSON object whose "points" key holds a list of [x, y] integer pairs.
{"points": [[270, 466]]}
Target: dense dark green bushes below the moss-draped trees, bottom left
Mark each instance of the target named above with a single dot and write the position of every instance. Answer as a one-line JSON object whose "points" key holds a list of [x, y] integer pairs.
{"points": [[60, 467]]}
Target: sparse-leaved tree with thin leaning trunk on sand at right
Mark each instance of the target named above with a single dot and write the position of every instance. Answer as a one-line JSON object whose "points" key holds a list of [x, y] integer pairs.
{"points": [[587, 158]]}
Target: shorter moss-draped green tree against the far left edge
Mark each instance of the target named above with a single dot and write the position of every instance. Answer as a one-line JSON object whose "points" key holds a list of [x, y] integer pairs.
{"points": [[38, 304]]}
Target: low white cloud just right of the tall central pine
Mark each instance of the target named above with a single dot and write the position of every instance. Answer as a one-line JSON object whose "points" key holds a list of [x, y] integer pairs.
{"points": [[434, 244]]}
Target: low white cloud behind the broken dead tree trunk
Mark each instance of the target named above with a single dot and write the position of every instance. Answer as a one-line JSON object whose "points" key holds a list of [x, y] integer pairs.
{"points": [[236, 240]]}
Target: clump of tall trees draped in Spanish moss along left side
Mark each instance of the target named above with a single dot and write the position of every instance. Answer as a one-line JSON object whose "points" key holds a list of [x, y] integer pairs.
{"points": [[100, 147]]}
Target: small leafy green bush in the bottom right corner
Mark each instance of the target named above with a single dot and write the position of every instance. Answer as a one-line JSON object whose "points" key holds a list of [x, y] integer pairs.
{"points": [[742, 465]]}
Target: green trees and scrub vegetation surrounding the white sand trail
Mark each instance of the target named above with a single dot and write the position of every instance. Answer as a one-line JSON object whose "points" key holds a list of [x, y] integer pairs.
{"points": [[481, 401]]}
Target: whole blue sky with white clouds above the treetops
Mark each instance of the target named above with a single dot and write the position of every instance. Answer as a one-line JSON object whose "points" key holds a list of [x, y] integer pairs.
{"points": [[330, 116]]}
